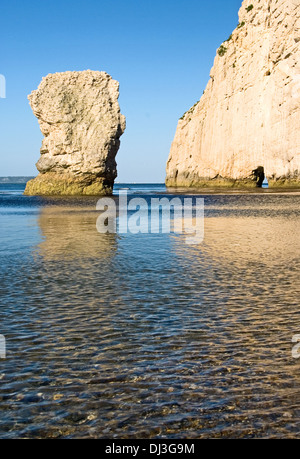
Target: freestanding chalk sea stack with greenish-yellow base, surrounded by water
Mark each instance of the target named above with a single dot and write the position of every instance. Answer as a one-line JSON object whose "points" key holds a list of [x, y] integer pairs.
{"points": [[79, 116]]}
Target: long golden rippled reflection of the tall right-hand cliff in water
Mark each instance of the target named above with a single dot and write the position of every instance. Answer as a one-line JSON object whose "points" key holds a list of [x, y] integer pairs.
{"points": [[244, 281]]}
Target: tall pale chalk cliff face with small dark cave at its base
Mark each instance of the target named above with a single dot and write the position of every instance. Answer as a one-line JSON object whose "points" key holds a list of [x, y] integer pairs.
{"points": [[249, 114]]}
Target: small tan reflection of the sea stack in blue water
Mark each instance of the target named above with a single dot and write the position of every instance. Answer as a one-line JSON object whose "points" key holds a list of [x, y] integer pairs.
{"points": [[70, 233]]}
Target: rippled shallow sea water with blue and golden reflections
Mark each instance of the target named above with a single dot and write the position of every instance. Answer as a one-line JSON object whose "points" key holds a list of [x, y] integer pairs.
{"points": [[144, 336]]}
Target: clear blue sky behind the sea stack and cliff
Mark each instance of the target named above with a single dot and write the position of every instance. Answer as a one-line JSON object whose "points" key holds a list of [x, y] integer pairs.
{"points": [[161, 52]]}
